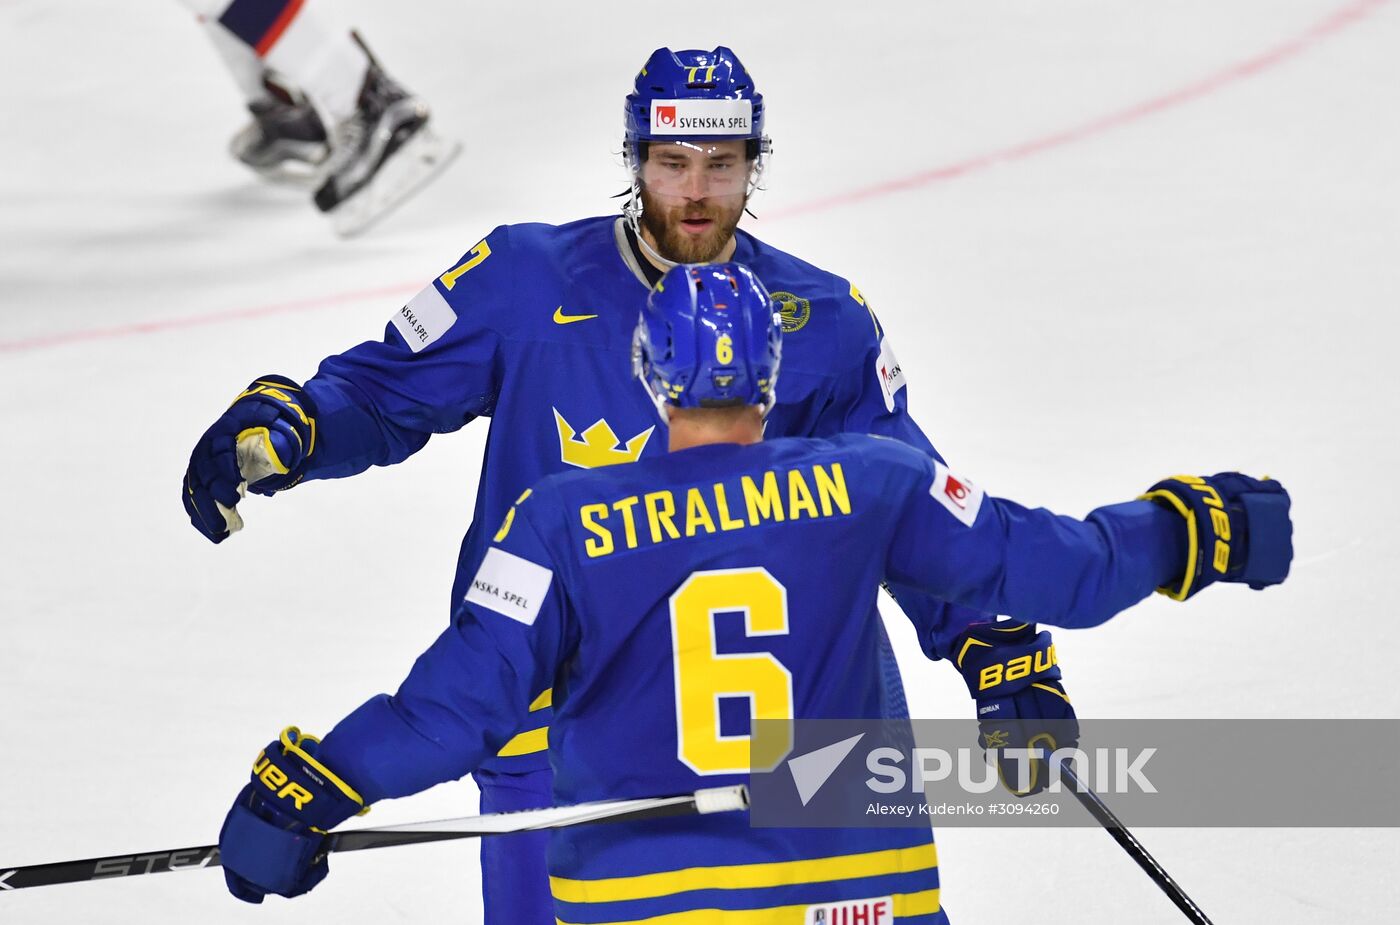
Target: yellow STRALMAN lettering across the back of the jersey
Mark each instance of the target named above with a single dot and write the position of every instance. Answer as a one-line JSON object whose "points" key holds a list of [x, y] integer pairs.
{"points": [[656, 517]]}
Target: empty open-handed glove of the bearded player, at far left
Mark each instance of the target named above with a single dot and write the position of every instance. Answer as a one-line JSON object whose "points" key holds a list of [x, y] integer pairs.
{"points": [[264, 439]]}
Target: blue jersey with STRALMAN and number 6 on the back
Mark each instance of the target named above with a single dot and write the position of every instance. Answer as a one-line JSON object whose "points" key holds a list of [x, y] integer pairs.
{"points": [[652, 598]]}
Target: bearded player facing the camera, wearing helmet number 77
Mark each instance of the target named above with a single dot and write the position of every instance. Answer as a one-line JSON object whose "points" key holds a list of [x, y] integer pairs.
{"points": [[527, 330]]}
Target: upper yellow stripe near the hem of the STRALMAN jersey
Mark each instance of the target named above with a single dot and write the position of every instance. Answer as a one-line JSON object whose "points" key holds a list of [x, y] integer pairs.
{"points": [[747, 877]]}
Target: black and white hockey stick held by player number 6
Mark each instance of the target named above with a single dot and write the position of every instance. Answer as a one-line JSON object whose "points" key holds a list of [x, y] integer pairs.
{"points": [[720, 800]]}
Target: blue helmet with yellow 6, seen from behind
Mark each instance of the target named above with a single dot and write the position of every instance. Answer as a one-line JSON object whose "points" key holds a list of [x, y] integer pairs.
{"points": [[710, 337]]}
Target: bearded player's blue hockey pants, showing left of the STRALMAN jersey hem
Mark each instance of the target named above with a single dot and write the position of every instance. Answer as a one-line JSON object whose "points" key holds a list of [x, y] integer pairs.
{"points": [[514, 878]]}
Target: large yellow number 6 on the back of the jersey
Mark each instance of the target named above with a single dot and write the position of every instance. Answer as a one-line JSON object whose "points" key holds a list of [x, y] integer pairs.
{"points": [[703, 675]]}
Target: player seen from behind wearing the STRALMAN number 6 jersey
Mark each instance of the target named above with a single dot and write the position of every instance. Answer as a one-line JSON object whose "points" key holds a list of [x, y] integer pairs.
{"points": [[731, 567]]}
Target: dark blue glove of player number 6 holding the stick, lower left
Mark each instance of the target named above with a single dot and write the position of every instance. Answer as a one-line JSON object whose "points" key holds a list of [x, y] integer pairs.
{"points": [[272, 839]]}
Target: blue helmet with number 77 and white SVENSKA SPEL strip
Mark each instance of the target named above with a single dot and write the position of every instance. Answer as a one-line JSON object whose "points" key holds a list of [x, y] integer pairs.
{"points": [[694, 96]]}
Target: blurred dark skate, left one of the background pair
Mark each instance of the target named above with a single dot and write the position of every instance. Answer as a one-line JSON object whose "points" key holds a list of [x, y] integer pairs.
{"points": [[286, 142]]}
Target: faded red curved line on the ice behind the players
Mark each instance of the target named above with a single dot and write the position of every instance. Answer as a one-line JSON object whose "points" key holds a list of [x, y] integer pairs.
{"points": [[1311, 37]]}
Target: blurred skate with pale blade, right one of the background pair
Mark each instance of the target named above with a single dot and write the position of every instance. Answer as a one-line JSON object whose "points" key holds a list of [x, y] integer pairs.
{"points": [[380, 156]]}
